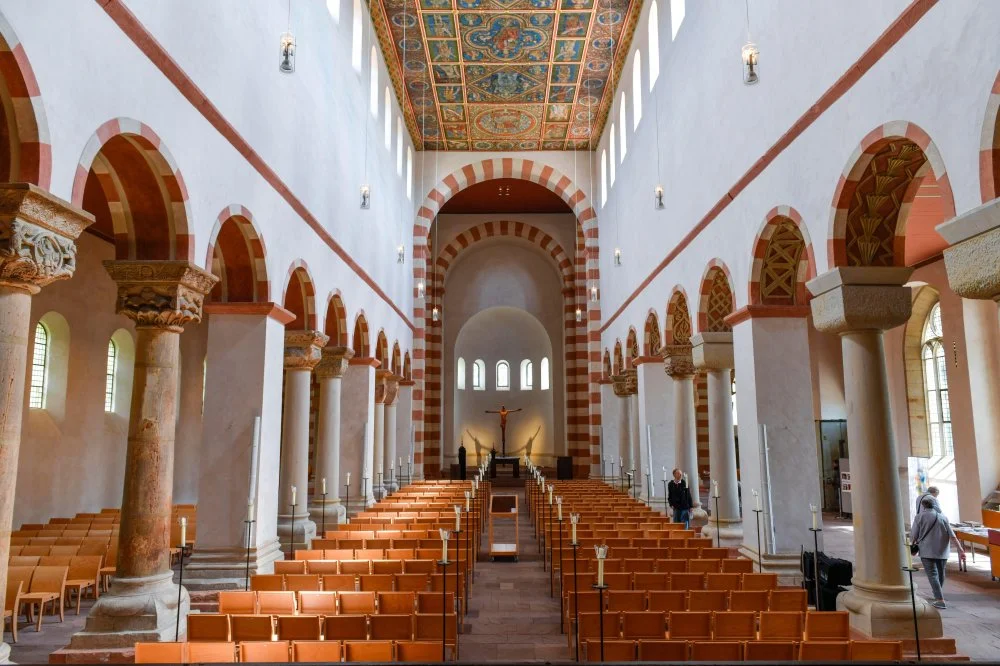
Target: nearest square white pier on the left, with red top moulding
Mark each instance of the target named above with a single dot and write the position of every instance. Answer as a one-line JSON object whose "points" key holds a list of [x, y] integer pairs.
{"points": [[246, 346]]}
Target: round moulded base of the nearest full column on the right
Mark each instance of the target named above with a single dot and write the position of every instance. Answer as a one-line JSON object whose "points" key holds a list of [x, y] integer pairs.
{"points": [[884, 611]]}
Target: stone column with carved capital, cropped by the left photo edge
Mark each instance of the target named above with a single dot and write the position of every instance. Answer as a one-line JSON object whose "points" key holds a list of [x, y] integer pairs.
{"points": [[37, 247]]}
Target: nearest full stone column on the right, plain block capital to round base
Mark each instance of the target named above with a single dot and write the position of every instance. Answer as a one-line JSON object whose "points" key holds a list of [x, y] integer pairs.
{"points": [[859, 304]]}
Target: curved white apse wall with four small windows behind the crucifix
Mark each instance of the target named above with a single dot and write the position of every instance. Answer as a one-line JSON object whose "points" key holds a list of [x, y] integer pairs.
{"points": [[511, 334]]}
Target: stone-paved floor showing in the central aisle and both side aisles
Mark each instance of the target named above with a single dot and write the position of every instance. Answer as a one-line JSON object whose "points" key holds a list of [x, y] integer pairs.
{"points": [[511, 615]]}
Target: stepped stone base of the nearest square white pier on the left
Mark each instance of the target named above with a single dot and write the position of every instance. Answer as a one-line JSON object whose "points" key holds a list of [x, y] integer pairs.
{"points": [[226, 568]]}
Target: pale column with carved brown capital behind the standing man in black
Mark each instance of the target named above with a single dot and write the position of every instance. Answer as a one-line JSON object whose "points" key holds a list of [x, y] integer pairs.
{"points": [[679, 366]]}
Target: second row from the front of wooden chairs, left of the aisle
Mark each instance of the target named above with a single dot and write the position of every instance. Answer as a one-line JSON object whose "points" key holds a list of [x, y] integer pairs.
{"points": [[398, 626]]}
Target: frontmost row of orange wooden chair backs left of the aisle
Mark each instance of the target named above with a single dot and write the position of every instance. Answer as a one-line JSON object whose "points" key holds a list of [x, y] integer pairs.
{"points": [[288, 651]]}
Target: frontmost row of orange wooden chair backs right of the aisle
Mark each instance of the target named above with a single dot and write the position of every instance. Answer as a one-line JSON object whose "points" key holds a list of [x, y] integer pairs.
{"points": [[729, 651]]}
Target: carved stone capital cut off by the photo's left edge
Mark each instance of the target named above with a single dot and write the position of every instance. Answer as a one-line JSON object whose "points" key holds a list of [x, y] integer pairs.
{"points": [[37, 237]]}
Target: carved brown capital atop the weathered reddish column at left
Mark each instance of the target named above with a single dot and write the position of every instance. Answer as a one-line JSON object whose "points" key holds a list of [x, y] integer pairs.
{"points": [[160, 294]]}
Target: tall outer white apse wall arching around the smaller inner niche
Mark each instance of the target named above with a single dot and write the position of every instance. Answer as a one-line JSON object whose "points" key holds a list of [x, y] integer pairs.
{"points": [[503, 273]]}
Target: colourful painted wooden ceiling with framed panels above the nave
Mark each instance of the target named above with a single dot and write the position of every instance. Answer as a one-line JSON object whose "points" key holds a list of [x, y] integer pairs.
{"points": [[505, 74]]}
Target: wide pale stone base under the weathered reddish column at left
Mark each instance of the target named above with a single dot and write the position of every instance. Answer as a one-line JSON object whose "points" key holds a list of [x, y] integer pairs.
{"points": [[134, 610]]}
